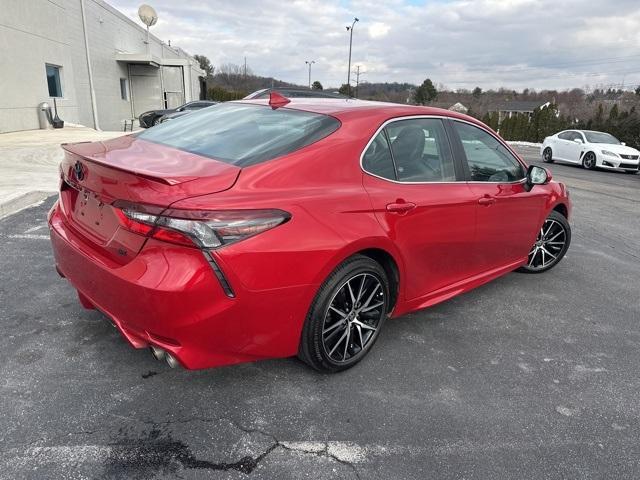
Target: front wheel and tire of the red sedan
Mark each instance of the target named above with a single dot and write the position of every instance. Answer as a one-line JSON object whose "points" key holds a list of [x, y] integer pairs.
{"points": [[557, 232]]}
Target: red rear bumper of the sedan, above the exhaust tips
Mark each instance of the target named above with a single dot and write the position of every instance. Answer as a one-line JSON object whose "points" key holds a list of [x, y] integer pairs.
{"points": [[169, 296]]}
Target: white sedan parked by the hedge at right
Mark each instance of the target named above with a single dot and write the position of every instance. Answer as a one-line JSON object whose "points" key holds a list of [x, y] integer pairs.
{"points": [[590, 149]]}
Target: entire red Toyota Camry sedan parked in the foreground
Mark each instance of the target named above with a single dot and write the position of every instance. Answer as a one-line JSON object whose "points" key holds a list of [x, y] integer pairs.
{"points": [[271, 228]]}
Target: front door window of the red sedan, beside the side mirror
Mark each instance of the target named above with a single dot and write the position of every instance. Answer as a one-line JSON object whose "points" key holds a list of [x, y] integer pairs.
{"points": [[488, 159]]}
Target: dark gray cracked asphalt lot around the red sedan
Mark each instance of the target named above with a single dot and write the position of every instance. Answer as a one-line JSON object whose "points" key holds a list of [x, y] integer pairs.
{"points": [[530, 376]]}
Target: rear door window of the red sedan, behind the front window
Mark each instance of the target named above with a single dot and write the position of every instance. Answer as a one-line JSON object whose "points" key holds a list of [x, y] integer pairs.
{"points": [[421, 150]]}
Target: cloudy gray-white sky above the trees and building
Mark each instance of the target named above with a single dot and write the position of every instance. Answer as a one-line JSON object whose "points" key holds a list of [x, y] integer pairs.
{"points": [[458, 43]]}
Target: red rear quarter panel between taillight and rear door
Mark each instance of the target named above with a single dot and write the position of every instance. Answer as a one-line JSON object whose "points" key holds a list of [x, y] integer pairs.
{"points": [[331, 213]]}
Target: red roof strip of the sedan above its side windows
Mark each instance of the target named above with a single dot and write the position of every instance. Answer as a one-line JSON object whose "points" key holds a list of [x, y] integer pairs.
{"points": [[341, 108]]}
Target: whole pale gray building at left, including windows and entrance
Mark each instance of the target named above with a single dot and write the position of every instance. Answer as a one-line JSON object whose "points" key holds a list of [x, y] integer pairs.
{"points": [[92, 59]]}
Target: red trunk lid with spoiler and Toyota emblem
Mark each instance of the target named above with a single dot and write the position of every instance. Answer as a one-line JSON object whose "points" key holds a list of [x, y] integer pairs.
{"points": [[127, 169]]}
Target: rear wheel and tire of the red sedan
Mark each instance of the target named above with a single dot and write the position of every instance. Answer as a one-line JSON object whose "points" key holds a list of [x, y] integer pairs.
{"points": [[336, 335]]}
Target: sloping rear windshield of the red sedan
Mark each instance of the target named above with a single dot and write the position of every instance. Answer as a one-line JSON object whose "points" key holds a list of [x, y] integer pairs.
{"points": [[242, 134]]}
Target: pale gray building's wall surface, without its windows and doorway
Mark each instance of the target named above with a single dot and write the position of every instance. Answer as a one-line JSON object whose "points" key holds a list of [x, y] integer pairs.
{"points": [[36, 32]]}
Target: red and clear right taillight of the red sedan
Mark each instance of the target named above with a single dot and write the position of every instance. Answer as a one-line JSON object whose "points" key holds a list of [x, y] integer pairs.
{"points": [[204, 228]]}
